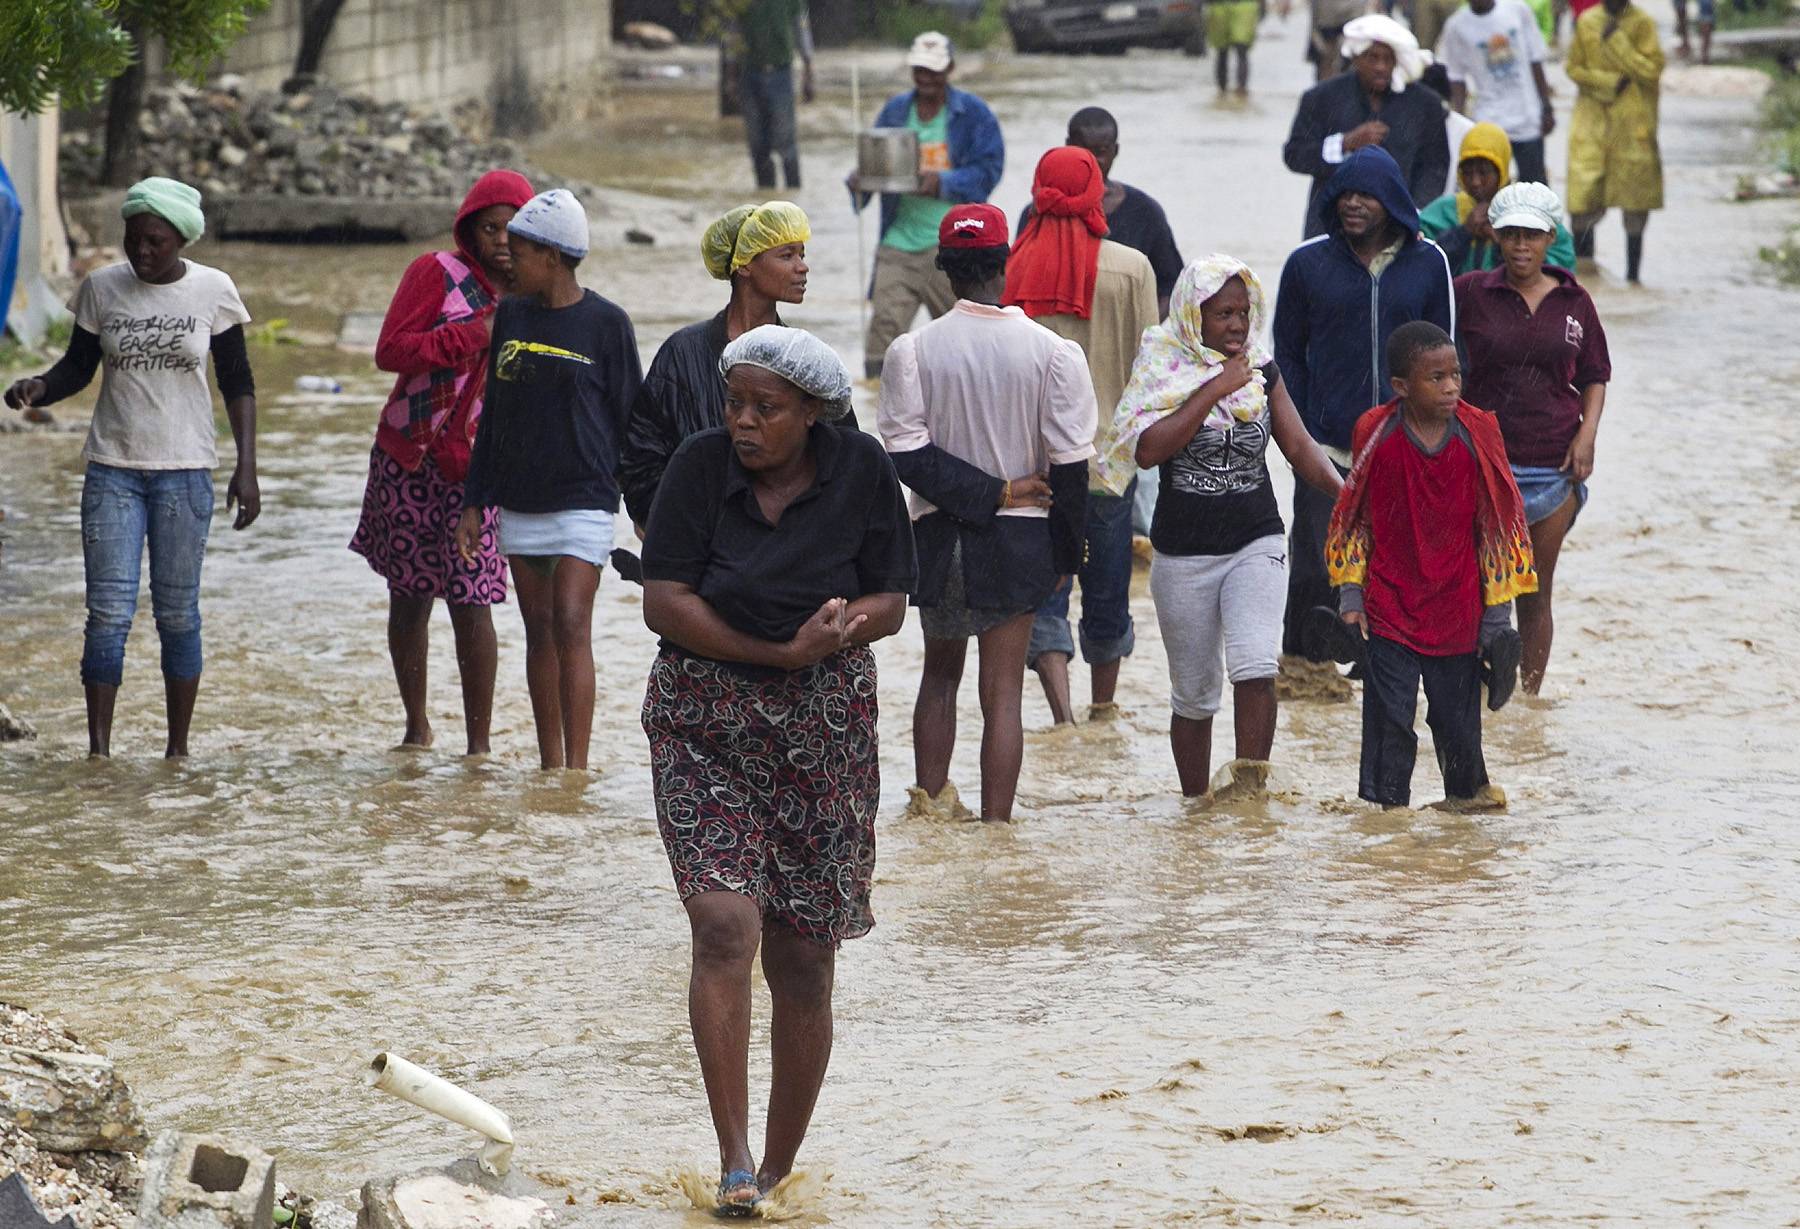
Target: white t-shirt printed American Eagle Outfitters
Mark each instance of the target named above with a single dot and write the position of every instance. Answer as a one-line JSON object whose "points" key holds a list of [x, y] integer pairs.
{"points": [[156, 408]]}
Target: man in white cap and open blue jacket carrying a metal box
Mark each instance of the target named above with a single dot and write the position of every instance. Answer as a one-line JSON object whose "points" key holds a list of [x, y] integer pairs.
{"points": [[960, 161]]}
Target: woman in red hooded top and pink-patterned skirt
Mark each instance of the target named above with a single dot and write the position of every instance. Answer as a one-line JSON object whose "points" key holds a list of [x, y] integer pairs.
{"points": [[435, 339]]}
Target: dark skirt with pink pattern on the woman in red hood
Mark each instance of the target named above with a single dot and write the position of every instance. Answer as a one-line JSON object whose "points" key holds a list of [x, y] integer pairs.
{"points": [[408, 534]]}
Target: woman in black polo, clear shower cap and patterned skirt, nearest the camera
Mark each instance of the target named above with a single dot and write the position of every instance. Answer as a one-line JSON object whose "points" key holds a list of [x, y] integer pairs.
{"points": [[778, 550]]}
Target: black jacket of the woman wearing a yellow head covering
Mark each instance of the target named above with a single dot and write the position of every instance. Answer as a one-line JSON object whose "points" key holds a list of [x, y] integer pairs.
{"points": [[681, 397]]}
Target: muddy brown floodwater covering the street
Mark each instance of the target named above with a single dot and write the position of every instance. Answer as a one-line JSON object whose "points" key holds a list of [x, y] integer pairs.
{"points": [[1119, 1010]]}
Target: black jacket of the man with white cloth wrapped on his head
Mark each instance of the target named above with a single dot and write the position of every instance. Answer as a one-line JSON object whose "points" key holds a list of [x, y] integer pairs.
{"points": [[1416, 138]]}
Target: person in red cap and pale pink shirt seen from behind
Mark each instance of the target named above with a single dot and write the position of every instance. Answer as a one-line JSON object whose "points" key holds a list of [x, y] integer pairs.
{"points": [[989, 420]]}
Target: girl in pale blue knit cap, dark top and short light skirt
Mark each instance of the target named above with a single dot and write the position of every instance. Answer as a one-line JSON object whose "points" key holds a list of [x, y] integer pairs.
{"points": [[562, 375]]}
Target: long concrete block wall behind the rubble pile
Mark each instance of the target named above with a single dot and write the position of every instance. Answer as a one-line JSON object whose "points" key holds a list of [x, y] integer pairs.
{"points": [[438, 53]]}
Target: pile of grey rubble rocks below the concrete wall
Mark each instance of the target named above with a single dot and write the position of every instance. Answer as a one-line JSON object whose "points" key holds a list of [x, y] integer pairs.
{"points": [[233, 141]]}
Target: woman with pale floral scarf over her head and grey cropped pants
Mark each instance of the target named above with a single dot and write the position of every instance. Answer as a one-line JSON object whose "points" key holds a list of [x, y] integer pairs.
{"points": [[1203, 404]]}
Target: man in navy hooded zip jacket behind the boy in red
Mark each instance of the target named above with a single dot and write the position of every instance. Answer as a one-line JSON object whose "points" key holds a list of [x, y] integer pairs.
{"points": [[1342, 296]]}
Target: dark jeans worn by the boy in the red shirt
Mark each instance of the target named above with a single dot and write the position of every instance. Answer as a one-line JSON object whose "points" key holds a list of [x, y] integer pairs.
{"points": [[1453, 712]]}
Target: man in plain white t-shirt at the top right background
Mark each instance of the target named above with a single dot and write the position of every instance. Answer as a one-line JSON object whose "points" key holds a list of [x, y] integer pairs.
{"points": [[1495, 49]]}
